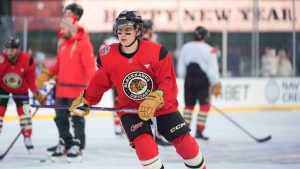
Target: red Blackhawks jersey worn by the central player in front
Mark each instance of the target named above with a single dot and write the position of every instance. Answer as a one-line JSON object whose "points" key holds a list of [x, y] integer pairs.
{"points": [[151, 68]]}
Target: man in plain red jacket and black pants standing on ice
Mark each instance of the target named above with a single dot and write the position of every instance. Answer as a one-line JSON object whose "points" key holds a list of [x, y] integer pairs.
{"points": [[75, 65]]}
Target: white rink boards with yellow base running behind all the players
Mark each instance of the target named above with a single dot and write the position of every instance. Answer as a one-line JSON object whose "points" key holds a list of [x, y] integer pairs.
{"points": [[238, 95]]}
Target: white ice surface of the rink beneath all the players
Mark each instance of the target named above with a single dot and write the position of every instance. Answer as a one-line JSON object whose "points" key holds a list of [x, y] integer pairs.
{"points": [[228, 147]]}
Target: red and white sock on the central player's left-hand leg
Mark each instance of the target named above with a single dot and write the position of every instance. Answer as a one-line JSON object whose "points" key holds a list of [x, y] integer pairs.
{"points": [[147, 152]]}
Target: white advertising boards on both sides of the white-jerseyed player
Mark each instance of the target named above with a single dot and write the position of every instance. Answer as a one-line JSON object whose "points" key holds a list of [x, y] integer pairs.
{"points": [[255, 94]]}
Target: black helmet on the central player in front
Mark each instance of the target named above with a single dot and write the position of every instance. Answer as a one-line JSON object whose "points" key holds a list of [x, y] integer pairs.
{"points": [[129, 18]]}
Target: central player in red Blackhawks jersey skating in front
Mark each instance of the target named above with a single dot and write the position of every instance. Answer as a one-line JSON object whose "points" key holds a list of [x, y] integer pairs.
{"points": [[144, 76]]}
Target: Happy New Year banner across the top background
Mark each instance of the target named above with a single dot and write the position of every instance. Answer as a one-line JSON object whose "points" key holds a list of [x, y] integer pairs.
{"points": [[185, 15]]}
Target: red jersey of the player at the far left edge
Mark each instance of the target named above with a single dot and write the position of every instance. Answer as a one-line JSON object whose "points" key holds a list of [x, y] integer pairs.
{"points": [[19, 77]]}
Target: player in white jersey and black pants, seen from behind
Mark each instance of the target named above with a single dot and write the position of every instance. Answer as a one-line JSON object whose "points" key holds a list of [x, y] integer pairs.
{"points": [[198, 65]]}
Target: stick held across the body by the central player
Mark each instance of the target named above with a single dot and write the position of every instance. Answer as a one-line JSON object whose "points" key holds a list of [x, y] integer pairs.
{"points": [[65, 107]]}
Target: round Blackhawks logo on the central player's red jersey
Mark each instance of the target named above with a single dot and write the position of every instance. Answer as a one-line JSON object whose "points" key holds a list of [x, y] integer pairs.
{"points": [[137, 85]]}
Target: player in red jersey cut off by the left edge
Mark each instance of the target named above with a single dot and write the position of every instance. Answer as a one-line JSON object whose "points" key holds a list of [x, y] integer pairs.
{"points": [[17, 74]]}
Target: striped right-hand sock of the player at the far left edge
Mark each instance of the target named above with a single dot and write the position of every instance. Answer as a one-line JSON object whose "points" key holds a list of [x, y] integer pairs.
{"points": [[25, 122]]}
